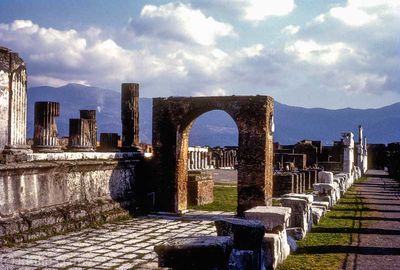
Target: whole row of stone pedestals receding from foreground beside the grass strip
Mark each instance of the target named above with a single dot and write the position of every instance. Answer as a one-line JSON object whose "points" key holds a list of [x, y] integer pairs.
{"points": [[266, 235]]}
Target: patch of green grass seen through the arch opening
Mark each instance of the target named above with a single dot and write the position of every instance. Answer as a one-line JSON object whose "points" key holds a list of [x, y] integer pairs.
{"points": [[225, 199]]}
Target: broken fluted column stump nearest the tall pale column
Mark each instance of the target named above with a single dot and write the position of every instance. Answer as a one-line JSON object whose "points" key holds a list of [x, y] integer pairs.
{"points": [[45, 135]]}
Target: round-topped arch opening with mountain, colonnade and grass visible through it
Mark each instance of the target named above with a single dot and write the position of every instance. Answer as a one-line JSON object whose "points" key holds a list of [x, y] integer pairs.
{"points": [[212, 162]]}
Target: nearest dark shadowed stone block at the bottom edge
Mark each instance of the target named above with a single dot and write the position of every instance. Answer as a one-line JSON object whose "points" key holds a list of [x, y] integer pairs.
{"points": [[200, 252]]}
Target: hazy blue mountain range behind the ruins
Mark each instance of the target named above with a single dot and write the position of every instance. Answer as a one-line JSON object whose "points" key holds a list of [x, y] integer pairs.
{"points": [[214, 128]]}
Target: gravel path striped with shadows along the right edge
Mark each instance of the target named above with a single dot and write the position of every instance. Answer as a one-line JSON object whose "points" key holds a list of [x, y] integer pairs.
{"points": [[376, 244]]}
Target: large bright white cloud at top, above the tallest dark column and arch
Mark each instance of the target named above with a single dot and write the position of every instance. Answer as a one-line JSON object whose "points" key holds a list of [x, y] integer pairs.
{"points": [[179, 22]]}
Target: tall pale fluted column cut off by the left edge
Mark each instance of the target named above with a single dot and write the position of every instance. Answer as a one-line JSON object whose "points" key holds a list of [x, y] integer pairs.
{"points": [[13, 102]]}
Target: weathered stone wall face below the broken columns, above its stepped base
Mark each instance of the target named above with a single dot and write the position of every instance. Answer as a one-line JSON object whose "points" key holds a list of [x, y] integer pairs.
{"points": [[35, 185]]}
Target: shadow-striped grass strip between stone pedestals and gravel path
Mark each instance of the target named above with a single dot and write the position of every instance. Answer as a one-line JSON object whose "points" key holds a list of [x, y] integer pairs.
{"points": [[324, 247]]}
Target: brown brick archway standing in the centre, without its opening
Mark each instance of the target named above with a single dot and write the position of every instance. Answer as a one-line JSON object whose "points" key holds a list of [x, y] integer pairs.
{"points": [[172, 119]]}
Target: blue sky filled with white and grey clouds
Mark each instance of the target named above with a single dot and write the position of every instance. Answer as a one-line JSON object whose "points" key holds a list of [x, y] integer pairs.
{"points": [[309, 53]]}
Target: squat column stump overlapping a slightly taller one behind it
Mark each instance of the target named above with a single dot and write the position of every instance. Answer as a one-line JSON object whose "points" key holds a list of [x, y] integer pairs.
{"points": [[80, 136]]}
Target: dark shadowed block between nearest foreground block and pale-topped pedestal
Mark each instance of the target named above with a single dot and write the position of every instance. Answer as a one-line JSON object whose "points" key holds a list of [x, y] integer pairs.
{"points": [[247, 234]]}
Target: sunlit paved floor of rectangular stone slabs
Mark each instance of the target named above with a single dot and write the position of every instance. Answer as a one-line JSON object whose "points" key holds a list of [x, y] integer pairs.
{"points": [[122, 245]]}
